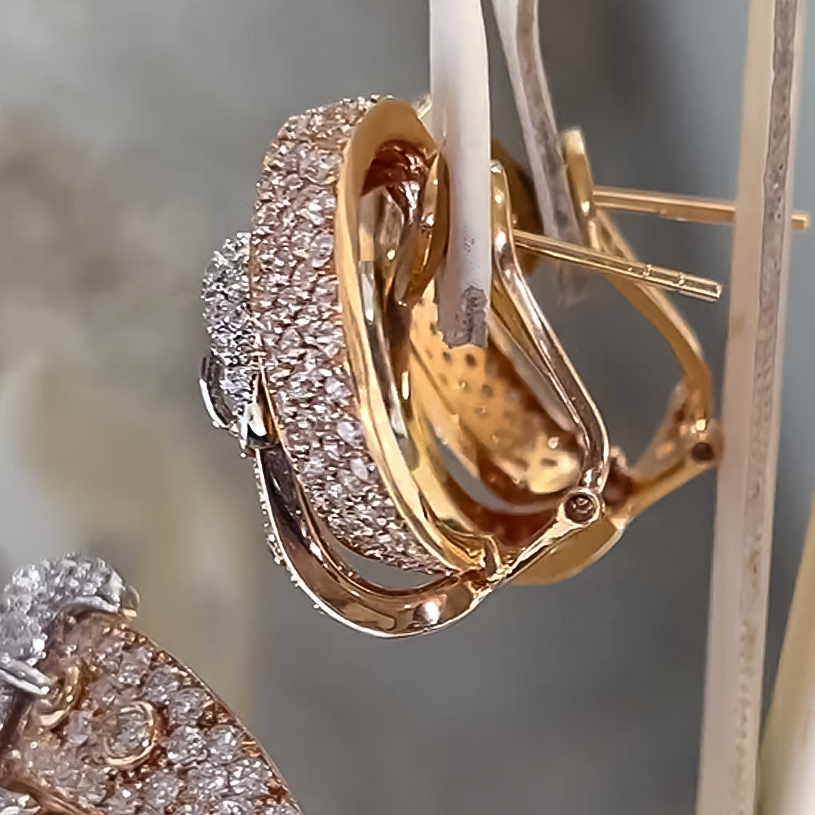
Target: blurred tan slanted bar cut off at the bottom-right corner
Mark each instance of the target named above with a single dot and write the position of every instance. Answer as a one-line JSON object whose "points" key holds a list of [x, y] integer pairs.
{"points": [[787, 769]]}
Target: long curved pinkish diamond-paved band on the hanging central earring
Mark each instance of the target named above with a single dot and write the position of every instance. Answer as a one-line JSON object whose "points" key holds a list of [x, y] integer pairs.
{"points": [[295, 302]]}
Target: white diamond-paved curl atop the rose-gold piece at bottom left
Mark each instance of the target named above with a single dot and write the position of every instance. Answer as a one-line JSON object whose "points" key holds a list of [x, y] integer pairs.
{"points": [[34, 597]]}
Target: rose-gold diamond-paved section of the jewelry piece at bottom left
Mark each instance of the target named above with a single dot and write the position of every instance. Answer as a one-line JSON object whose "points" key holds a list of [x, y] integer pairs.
{"points": [[145, 736]]}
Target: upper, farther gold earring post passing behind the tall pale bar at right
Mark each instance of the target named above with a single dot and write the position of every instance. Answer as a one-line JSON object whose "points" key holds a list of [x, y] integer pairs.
{"points": [[677, 207]]}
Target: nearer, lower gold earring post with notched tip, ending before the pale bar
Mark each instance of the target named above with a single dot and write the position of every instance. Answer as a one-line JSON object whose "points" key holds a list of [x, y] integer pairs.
{"points": [[701, 288]]}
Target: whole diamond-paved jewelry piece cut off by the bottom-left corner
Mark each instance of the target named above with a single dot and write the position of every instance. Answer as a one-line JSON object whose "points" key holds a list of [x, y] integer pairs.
{"points": [[96, 718]]}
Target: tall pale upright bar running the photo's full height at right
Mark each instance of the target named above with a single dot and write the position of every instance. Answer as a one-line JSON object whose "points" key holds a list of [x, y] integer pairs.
{"points": [[750, 415]]}
